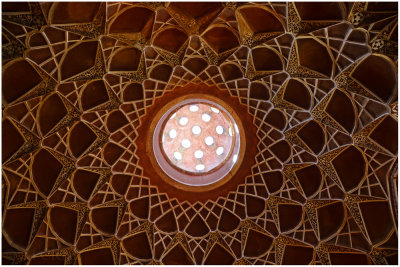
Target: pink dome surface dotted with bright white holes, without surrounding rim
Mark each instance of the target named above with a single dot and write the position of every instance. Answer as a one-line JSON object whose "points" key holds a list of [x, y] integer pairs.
{"points": [[198, 138]]}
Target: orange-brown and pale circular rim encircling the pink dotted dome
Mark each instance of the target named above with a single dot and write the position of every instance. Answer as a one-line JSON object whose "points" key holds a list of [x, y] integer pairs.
{"points": [[200, 181]]}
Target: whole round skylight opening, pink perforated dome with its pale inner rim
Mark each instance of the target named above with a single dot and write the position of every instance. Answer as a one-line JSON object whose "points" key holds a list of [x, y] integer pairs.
{"points": [[196, 142]]}
